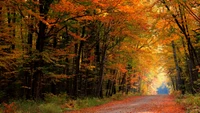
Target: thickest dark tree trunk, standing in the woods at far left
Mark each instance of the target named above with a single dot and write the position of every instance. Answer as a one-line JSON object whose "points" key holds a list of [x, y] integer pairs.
{"points": [[37, 76]]}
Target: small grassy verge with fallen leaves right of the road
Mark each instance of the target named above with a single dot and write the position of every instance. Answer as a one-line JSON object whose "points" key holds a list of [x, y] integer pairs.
{"points": [[191, 102]]}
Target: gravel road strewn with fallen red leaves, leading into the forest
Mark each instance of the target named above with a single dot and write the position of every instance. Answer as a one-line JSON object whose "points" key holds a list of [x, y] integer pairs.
{"points": [[138, 104]]}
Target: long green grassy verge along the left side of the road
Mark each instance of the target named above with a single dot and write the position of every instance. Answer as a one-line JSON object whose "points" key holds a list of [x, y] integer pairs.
{"points": [[56, 104]]}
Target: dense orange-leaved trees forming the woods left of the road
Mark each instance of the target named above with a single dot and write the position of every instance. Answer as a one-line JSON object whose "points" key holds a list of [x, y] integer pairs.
{"points": [[83, 48]]}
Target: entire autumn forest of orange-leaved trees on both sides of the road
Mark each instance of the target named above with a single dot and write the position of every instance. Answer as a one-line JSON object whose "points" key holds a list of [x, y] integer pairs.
{"points": [[97, 48]]}
